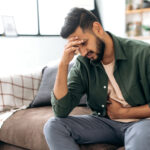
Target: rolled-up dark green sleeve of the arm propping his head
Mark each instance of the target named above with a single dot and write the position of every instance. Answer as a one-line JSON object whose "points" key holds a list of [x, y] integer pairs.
{"points": [[76, 89]]}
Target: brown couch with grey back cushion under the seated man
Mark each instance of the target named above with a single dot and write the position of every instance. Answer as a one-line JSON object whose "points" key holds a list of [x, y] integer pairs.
{"points": [[23, 130]]}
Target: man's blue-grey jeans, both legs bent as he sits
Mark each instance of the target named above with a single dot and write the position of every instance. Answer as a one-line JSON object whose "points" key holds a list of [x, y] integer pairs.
{"points": [[67, 133]]}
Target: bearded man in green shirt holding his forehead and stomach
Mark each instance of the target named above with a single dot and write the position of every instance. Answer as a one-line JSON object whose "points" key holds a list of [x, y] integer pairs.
{"points": [[115, 74]]}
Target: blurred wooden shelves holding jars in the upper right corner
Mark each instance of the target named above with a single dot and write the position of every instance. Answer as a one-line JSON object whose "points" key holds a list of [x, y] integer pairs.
{"points": [[137, 24]]}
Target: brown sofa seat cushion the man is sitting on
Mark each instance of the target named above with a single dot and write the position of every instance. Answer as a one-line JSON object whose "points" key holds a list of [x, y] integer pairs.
{"points": [[25, 129]]}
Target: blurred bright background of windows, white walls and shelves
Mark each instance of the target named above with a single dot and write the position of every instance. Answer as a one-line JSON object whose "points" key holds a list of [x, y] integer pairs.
{"points": [[29, 29]]}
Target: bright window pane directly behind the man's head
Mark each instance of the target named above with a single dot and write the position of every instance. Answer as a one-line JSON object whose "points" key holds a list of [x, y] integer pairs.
{"points": [[53, 12]]}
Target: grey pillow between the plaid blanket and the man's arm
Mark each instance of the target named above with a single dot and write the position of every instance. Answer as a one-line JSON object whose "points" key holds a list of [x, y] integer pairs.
{"points": [[43, 97]]}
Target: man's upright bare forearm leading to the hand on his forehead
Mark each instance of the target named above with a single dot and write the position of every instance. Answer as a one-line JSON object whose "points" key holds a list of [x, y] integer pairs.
{"points": [[60, 87]]}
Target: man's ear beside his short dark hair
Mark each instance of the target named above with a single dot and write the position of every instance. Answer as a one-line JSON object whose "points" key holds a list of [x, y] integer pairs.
{"points": [[97, 28]]}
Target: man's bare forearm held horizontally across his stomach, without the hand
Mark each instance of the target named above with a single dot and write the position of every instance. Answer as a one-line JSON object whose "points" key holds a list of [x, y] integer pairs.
{"points": [[138, 112]]}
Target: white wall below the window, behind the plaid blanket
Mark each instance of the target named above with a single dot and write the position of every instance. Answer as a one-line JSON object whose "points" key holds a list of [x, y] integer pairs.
{"points": [[26, 53]]}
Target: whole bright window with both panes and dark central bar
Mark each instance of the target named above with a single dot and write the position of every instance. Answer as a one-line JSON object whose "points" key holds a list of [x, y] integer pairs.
{"points": [[39, 17]]}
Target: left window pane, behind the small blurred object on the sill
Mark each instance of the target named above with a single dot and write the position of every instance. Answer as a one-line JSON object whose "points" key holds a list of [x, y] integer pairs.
{"points": [[24, 13]]}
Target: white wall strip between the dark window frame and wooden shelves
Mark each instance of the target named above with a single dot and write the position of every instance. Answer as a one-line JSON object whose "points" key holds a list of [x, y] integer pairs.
{"points": [[113, 15]]}
